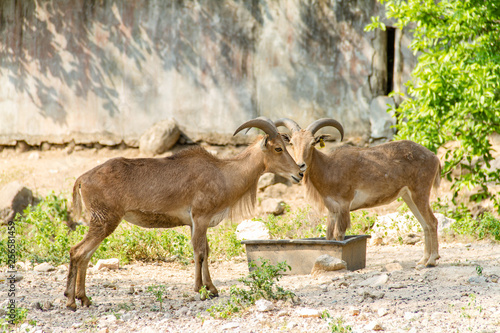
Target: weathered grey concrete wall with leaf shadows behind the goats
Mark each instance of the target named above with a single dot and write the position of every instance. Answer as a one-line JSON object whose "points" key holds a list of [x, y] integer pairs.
{"points": [[106, 70]]}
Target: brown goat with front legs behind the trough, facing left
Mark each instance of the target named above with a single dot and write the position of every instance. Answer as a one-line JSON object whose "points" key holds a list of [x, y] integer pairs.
{"points": [[351, 178]]}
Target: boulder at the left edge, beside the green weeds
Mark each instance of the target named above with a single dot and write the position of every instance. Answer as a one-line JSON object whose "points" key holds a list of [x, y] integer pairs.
{"points": [[14, 198]]}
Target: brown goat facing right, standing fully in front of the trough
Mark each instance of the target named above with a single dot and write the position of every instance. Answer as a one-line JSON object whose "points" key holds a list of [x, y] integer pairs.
{"points": [[190, 188]]}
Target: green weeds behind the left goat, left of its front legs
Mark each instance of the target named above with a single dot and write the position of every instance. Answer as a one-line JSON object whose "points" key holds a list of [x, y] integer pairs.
{"points": [[43, 236]]}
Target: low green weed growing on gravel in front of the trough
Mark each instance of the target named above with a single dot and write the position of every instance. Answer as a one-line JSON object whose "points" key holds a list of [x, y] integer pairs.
{"points": [[260, 283]]}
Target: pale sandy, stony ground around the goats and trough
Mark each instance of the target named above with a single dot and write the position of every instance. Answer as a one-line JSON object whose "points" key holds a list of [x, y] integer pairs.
{"points": [[451, 297]]}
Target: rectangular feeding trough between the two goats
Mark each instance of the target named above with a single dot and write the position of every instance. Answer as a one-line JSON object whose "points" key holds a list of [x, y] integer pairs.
{"points": [[301, 254]]}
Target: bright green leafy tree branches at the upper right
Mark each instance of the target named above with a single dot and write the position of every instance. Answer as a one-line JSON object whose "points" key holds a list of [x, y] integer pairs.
{"points": [[455, 87]]}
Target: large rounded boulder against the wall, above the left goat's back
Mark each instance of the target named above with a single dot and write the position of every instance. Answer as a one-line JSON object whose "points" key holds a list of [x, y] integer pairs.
{"points": [[160, 137]]}
